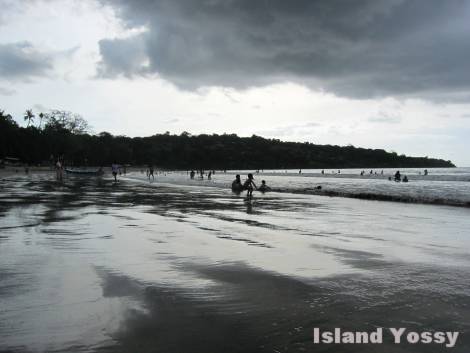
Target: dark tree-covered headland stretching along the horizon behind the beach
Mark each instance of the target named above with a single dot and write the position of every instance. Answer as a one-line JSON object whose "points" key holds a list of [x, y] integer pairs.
{"points": [[60, 133]]}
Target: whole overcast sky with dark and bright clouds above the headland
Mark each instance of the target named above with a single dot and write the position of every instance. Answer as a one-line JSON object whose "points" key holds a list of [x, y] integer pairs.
{"points": [[391, 74]]}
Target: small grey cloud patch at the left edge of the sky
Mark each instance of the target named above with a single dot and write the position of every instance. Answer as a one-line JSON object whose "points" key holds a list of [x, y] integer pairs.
{"points": [[21, 60]]}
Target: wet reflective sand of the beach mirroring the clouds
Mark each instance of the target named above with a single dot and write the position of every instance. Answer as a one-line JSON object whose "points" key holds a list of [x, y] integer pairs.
{"points": [[88, 265]]}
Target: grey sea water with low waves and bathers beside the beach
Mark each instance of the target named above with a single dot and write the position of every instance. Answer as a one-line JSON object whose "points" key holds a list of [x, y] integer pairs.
{"points": [[448, 186]]}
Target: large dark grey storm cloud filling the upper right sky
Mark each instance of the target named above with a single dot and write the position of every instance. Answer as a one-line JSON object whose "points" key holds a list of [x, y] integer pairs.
{"points": [[361, 48]]}
